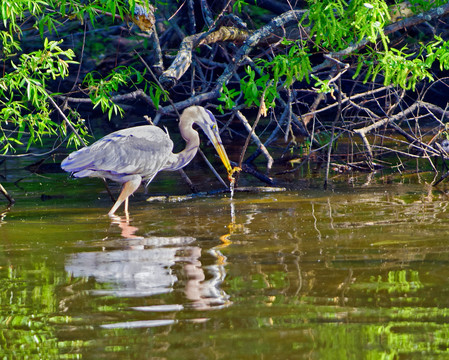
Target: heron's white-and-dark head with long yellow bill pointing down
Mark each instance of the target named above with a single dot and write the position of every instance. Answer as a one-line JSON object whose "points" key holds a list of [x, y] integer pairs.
{"points": [[207, 122]]}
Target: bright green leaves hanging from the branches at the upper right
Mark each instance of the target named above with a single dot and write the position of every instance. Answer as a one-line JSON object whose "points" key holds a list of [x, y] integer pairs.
{"points": [[335, 25]]}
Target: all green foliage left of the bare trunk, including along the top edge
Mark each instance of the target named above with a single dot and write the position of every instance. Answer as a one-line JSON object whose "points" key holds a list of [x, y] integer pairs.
{"points": [[27, 77]]}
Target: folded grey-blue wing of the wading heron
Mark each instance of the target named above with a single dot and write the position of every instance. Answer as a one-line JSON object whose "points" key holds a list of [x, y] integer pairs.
{"points": [[141, 150]]}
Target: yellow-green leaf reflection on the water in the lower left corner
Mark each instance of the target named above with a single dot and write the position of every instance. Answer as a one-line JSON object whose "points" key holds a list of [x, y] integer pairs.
{"points": [[27, 322]]}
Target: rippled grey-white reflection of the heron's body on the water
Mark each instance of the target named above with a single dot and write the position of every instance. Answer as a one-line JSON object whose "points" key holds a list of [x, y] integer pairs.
{"points": [[155, 265]]}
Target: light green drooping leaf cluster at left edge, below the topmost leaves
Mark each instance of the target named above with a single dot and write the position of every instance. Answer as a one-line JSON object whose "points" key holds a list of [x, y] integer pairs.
{"points": [[23, 94]]}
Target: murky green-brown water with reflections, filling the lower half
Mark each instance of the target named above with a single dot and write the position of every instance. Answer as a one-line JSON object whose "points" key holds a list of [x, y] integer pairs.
{"points": [[357, 273]]}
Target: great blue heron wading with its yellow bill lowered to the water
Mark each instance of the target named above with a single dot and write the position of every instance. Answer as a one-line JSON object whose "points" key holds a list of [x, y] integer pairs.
{"points": [[131, 155]]}
